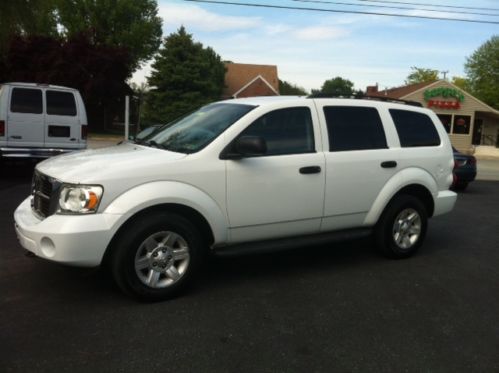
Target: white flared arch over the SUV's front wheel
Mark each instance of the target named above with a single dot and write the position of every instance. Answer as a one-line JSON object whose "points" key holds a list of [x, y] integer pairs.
{"points": [[162, 192]]}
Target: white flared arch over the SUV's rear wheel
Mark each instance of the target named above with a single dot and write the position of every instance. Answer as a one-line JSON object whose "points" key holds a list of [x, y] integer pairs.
{"points": [[403, 178]]}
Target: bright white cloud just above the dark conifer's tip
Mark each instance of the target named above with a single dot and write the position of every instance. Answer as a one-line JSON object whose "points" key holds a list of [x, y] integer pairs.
{"points": [[195, 17]]}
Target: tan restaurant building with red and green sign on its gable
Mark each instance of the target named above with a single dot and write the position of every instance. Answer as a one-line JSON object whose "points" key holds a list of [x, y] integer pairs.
{"points": [[467, 120]]}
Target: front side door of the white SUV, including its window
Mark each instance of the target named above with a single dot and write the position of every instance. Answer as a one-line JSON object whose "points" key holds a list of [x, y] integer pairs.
{"points": [[281, 193]]}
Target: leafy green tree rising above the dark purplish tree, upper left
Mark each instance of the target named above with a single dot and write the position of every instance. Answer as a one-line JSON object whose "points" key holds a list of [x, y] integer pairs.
{"points": [[131, 24]]}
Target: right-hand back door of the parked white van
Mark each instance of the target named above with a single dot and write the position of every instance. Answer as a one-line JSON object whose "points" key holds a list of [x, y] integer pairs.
{"points": [[62, 121]]}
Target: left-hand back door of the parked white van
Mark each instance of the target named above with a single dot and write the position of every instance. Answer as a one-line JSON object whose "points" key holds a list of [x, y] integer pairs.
{"points": [[25, 119]]}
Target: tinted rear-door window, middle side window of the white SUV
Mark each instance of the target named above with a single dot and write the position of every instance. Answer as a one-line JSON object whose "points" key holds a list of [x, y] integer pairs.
{"points": [[354, 128]]}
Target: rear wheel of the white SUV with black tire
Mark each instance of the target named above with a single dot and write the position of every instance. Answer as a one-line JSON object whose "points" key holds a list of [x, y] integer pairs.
{"points": [[396, 240]]}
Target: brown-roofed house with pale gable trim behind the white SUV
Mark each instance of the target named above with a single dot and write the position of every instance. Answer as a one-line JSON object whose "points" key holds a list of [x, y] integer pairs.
{"points": [[245, 80]]}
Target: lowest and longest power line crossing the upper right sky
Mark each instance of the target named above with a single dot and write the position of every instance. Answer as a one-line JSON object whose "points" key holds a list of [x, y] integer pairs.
{"points": [[342, 11]]}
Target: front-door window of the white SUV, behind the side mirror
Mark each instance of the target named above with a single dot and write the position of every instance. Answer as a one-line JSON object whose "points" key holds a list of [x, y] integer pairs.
{"points": [[286, 131]]}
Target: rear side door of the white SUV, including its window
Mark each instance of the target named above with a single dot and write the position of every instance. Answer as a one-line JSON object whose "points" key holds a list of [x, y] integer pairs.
{"points": [[359, 162]]}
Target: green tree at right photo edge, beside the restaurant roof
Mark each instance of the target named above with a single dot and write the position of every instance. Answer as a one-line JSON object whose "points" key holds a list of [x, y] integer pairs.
{"points": [[482, 70]]}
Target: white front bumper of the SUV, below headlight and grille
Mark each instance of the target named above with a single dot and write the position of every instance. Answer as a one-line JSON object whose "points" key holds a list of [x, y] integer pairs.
{"points": [[79, 240]]}
